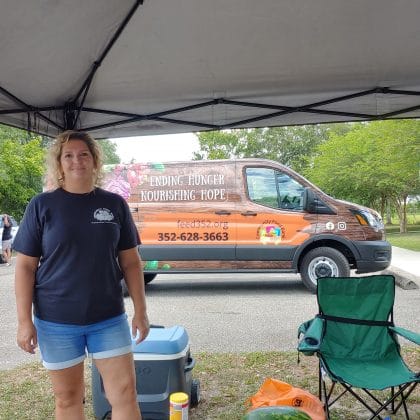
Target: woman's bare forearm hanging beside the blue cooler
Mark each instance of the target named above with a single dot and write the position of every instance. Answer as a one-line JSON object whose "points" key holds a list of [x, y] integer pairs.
{"points": [[131, 267]]}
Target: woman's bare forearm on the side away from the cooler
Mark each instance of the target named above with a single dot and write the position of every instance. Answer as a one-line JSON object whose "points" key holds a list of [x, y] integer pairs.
{"points": [[24, 290]]}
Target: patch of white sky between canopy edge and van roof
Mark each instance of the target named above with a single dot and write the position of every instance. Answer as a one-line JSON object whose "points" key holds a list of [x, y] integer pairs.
{"points": [[163, 148]]}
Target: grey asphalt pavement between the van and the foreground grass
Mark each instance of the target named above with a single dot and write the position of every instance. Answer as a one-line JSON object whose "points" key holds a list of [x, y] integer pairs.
{"points": [[221, 312]]}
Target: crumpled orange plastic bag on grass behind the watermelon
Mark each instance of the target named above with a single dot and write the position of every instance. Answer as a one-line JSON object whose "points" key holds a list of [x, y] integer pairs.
{"points": [[274, 392]]}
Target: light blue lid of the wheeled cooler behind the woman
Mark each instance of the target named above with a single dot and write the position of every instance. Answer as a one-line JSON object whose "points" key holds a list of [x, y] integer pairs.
{"points": [[170, 340]]}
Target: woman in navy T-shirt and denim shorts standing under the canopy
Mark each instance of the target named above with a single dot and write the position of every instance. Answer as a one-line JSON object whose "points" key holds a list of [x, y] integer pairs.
{"points": [[74, 245]]}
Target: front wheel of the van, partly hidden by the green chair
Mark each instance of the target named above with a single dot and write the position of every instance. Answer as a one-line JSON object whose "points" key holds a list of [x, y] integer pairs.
{"points": [[323, 262]]}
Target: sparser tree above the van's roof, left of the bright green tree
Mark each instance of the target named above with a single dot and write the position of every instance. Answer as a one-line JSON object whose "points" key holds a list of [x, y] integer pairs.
{"points": [[292, 146]]}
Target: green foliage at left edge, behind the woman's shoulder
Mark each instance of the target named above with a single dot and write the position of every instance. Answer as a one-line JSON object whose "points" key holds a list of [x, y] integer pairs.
{"points": [[21, 169]]}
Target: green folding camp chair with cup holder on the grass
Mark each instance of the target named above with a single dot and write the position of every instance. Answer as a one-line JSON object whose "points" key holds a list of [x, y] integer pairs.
{"points": [[356, 342]]}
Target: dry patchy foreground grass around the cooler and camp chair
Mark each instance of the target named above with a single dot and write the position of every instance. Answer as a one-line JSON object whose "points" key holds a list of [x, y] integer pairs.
{"points": [[227, 380]]}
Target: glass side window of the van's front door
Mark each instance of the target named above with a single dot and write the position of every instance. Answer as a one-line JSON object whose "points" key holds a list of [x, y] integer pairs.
{"points": [[274, 189]]}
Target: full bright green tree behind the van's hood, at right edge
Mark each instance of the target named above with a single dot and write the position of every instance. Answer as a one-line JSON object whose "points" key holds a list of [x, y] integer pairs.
{"points": [[373, 164]]}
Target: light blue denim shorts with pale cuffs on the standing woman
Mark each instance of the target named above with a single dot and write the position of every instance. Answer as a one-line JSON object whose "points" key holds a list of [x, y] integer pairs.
{"points": [[65, 345]]}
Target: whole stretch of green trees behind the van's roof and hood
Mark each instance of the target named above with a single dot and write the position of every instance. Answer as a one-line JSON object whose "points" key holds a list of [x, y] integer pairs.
{"points": [[369, 163]]}
